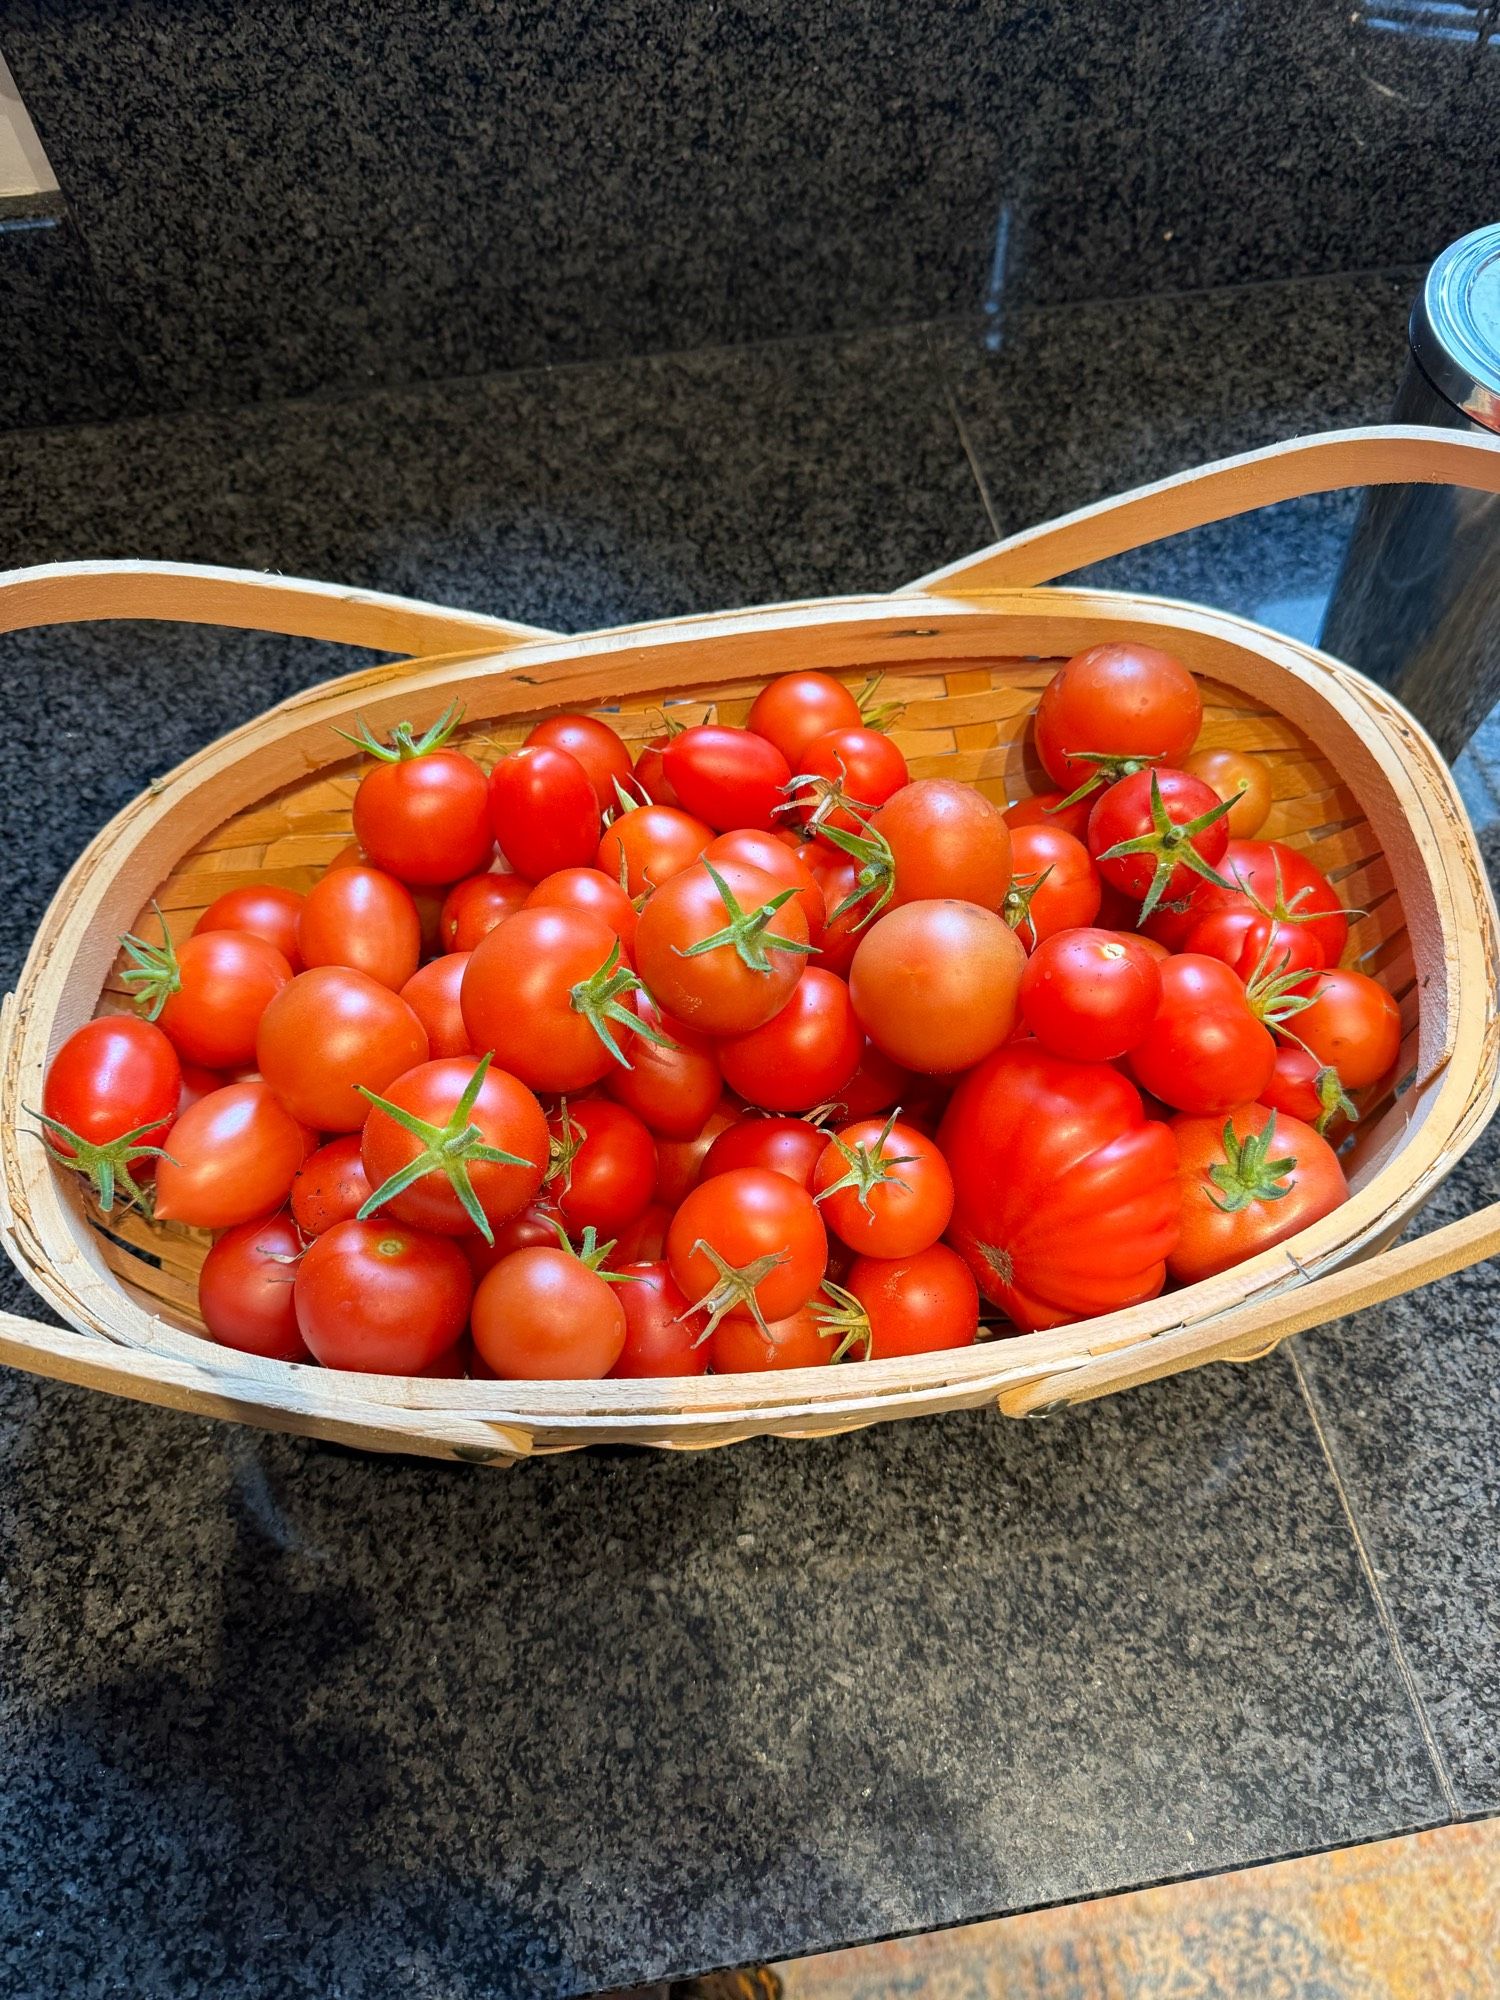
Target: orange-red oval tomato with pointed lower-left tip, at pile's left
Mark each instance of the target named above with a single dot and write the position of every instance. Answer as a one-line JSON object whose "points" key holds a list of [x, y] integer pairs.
{"points": [[235, 1157]]}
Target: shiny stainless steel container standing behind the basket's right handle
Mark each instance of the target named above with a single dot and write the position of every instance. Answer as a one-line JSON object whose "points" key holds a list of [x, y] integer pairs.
{"points": [[1417, 605]]}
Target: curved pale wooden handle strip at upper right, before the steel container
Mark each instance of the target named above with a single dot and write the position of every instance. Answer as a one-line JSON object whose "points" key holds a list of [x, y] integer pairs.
{"points": [[1385, 455]]}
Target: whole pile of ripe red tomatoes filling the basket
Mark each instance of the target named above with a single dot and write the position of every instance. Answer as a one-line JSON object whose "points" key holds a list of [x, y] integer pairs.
{"points": [[741, 1053]]}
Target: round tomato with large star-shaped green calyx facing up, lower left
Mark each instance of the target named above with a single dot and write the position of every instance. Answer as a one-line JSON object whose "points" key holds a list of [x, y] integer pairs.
{"points": [[455, 1145]]}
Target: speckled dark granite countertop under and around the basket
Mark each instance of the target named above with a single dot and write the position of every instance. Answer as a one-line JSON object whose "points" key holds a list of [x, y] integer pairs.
{"points": [[285, 1721]]}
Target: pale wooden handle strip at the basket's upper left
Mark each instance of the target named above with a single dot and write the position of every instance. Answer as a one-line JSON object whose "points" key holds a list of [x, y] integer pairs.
{"points": [[189, 593]]}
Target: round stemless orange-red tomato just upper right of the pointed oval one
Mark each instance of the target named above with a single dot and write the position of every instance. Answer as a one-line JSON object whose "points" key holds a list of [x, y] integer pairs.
{"points": [[331, 1031]]}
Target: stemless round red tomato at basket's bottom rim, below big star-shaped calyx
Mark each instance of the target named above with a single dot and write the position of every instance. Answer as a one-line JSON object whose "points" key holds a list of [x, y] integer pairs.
{"points": [[381, 1299]]}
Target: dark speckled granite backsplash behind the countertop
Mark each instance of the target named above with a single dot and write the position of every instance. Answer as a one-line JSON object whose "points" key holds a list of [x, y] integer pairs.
{"points": [[279, 197]]}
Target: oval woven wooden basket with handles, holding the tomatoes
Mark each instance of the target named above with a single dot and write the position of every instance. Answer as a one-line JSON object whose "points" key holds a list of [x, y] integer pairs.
{"points": [[1359, 787]]}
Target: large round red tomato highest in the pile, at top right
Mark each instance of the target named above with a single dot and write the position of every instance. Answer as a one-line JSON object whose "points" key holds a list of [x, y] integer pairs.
{"points": [[1113, 709]]}
